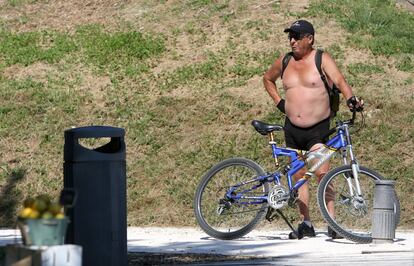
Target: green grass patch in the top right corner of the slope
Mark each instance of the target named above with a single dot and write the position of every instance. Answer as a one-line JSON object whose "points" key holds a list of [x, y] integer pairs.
{"points": [[375, 24]]}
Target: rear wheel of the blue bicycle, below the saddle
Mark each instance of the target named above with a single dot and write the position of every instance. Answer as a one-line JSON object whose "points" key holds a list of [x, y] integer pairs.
{"points": [[224, 218]]}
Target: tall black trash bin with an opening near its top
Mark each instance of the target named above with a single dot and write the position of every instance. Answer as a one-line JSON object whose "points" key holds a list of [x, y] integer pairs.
{"points": [[98, 177]]}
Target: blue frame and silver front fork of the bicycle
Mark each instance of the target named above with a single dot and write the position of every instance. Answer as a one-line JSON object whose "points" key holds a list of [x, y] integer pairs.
{"points": [[340, 143]]}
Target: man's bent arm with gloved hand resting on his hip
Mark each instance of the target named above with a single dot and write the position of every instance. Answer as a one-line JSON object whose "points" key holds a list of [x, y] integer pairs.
{"points": [[269, 82]]}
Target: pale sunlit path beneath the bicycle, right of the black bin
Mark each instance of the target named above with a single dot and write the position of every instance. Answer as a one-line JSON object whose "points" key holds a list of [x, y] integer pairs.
{"points": [[259, 243]]}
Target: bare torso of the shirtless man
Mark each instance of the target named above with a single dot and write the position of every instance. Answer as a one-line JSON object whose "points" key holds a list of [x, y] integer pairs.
{"points": [[307, 101]]}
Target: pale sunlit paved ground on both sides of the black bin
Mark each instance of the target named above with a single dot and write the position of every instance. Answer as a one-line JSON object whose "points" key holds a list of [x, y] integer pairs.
{"points": [[270, 247]]}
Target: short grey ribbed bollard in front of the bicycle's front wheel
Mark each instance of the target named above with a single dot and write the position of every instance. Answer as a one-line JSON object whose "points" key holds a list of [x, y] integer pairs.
{"points": [[383, 216]]}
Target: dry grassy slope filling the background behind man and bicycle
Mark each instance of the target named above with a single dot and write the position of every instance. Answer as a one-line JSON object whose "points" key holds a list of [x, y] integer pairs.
{"points": [[184, 79]]}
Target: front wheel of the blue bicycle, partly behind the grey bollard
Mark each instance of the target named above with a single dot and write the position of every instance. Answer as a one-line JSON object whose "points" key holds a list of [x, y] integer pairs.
{"points": [[350, 222]]}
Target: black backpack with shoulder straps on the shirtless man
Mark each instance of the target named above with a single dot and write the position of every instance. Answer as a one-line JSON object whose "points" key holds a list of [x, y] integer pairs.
{"points": [[332, 92]]}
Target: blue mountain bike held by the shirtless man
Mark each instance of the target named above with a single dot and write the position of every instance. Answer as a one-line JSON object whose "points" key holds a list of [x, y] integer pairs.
{"points": [[236, 194]]}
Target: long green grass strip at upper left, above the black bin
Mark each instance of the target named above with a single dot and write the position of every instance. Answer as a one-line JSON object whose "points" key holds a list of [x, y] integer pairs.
{"points": [[109, 52]]}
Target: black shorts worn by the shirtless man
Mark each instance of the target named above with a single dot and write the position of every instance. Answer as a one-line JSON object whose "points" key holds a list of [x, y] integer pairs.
{"points": [[304, 138]]}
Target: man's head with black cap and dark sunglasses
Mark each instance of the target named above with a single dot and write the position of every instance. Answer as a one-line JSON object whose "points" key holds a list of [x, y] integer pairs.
{"points": [[301, 36]]}
